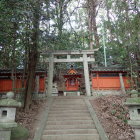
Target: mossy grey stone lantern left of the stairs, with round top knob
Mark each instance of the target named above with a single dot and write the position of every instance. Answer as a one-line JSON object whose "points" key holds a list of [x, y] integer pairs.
{"points": [[7, 115]]}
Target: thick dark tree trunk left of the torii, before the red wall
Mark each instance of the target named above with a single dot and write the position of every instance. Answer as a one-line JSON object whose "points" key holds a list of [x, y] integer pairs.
{"points": [[33, 57]]}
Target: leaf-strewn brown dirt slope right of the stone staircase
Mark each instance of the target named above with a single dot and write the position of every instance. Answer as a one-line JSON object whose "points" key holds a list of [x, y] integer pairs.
{"points": [[113, 116]]}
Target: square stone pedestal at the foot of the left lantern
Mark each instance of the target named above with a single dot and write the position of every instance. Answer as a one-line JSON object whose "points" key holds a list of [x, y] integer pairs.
{"points": [[5, 135]]}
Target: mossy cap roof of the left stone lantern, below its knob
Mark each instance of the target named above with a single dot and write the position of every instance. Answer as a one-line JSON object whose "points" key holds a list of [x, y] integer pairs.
{"points": [[10, 102]]}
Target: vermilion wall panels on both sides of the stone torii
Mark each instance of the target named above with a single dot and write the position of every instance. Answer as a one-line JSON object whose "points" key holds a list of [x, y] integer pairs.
{"points": [[97, 83]]}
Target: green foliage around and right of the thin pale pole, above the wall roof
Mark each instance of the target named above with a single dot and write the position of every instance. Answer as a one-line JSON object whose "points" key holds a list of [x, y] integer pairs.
{"points": [[122, 29]]}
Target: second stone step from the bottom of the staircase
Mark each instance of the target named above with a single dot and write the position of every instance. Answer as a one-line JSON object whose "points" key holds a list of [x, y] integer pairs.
{"points": [[70, 131]]}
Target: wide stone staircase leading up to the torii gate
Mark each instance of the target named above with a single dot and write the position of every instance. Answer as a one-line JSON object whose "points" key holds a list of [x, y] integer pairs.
{"points": [[69, 119]]}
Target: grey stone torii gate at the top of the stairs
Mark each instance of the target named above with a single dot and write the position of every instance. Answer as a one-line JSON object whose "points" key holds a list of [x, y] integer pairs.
{"points": [[86, 57]]}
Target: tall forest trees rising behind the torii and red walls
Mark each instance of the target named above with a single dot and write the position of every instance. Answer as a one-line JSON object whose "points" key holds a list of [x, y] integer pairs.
{"points": [[29, 27]]}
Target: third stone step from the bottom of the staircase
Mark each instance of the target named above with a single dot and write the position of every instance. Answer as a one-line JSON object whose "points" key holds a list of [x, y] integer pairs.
{"points": [[80, 126]]}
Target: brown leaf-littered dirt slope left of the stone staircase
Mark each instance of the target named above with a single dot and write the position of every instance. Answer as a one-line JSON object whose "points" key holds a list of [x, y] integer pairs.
{"points": [[30, 119]]}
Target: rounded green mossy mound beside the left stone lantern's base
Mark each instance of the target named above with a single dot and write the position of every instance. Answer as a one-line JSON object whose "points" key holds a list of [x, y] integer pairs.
{"points": [[19, 133]]}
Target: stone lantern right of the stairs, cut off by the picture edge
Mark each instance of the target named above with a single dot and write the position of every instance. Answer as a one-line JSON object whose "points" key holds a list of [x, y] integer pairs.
{"points": [[134, 111]]}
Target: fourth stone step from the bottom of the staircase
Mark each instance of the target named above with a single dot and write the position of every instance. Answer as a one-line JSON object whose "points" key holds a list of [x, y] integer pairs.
{"points": [[73, 122]]}
